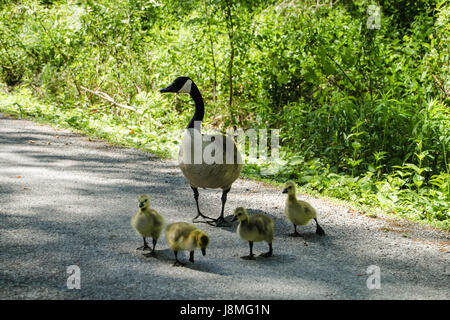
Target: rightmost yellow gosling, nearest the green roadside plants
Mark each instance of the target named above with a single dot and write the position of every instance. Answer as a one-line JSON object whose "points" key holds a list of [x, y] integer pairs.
{"points": [[299, 212]]}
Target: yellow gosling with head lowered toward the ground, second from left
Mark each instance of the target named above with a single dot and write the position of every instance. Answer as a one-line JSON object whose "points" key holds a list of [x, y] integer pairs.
{"points": [[185, 236]]}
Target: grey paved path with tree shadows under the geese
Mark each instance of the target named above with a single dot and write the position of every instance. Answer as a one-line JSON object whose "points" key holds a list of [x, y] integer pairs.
{"points": [[66, 200]]}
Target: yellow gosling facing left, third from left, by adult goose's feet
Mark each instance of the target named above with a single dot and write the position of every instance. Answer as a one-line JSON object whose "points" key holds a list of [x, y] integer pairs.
{"points": [[254, 228]]}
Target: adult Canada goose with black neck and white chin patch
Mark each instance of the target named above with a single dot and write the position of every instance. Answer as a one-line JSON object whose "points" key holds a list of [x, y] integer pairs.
{"points": [[207, 161]]}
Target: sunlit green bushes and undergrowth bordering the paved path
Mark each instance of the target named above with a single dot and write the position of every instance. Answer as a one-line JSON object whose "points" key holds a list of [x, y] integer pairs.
{"points": [[363, 112]]}
